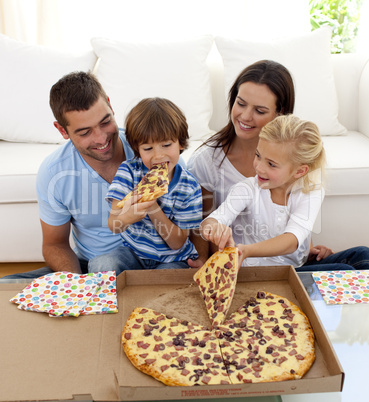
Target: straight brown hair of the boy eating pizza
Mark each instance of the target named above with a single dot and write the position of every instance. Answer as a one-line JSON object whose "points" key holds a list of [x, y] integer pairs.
{"points": [[155, 119]]}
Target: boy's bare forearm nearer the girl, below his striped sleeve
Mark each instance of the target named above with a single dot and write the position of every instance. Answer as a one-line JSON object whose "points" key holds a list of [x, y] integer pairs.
{"points": [[174, 236]]}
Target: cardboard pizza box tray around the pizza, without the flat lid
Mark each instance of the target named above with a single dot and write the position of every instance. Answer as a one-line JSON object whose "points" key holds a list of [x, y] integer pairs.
{"points": [[173, 292]]}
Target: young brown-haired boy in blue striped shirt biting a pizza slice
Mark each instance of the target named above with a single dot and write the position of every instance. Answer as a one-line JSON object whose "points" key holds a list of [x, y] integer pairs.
{"points": [[155, 234]]}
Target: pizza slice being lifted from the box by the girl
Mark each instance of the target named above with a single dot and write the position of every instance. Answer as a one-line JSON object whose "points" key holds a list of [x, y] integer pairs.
{"points": [[217, 282]]}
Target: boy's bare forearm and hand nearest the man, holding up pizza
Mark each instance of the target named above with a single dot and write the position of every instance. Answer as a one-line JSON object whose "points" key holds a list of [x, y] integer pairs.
{"points": [[132, 212]]}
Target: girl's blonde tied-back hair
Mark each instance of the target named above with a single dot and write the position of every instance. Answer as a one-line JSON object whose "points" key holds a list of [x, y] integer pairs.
{"points": [[307, 146]]}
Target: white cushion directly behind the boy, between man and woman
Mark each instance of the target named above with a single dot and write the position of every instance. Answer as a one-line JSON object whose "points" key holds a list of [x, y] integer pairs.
{"points": [[130, 72]]}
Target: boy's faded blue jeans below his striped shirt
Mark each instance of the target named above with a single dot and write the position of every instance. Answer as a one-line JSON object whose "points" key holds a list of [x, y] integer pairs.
{"points": [[123, 259]]}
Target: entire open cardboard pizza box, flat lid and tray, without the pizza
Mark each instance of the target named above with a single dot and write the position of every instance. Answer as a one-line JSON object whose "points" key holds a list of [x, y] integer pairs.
{"points": [[64, 359]]}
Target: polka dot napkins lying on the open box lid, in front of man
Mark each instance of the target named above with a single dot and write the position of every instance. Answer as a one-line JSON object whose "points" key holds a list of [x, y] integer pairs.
{"points": [[69, 294]]}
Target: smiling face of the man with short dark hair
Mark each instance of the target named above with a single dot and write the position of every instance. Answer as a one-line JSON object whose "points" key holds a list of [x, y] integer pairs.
{"points": [[93, 132]]}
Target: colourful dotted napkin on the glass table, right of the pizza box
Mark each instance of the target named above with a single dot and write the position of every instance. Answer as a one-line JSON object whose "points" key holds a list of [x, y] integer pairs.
{"points": [[343, 287]]}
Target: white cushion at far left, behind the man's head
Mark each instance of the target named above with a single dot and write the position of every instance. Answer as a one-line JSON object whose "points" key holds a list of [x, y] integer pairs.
{"points": [[27, 73]]}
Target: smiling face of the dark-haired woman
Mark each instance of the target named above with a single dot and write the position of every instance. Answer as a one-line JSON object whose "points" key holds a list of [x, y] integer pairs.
{"points": [[254, 107]]}
